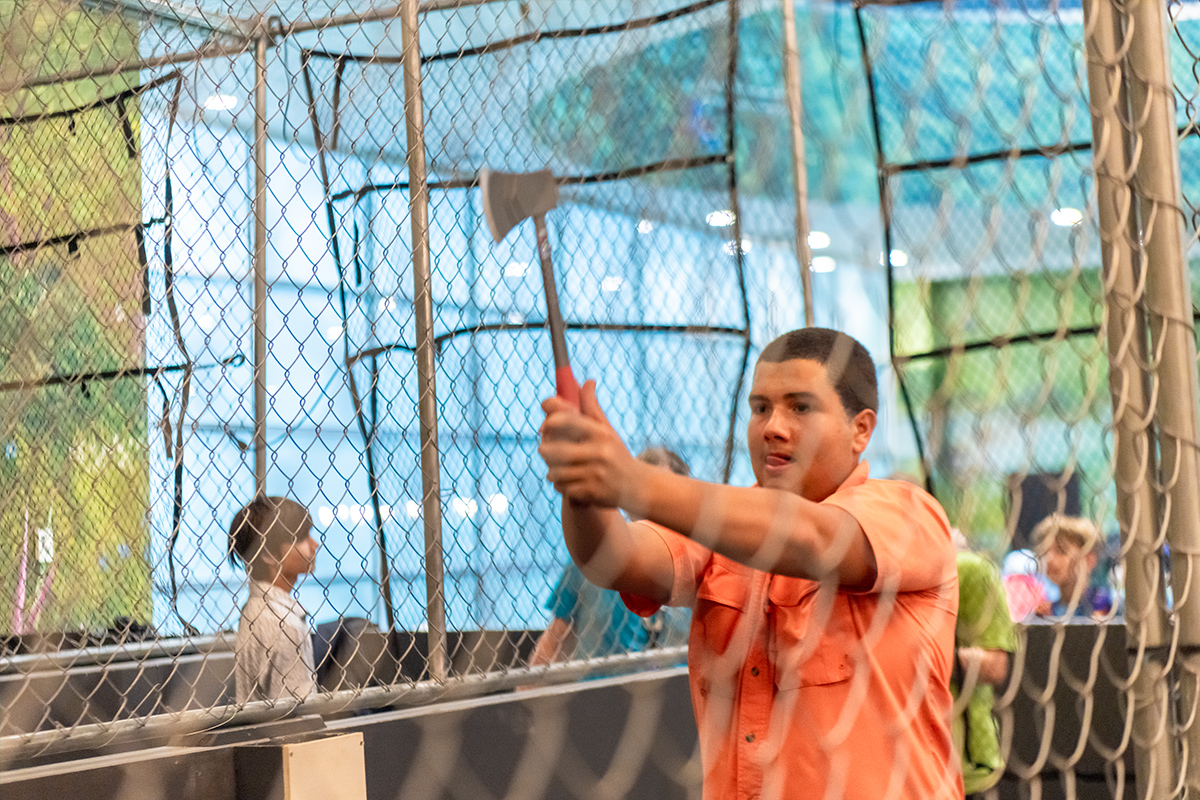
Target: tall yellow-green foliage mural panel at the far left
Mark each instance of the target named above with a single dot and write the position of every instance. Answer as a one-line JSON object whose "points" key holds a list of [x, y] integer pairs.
{"points": [[74, 458]]}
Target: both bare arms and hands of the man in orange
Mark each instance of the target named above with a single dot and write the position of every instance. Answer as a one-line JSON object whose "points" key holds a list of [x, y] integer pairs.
{"points": [[767, 530]]}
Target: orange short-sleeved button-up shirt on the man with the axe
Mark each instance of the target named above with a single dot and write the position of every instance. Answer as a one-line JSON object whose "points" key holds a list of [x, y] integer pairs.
{"points": [[811, 691]]}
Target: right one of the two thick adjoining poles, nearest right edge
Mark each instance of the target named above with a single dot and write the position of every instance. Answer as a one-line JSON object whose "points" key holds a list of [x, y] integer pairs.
{"points": [[1173, 334]]}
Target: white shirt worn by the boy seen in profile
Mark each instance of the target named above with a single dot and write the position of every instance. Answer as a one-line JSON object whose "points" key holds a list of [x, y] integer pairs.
{"points": [[273, 654]]}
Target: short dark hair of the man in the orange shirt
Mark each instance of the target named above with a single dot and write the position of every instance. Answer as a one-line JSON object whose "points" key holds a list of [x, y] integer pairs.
{"points": [[845, 359]]}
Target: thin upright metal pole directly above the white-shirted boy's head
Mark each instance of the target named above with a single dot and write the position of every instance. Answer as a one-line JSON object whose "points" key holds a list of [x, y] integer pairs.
{"points": [[260, 263]]}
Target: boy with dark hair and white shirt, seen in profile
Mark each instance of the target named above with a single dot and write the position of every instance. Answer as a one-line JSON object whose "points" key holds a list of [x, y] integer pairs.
{"points": [[273, 655]]}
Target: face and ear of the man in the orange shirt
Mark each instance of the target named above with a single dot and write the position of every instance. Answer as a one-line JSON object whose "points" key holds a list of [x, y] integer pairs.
{"points": [[801, 438]]}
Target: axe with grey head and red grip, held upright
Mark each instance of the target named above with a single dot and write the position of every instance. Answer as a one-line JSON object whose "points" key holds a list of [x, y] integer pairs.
{"points": [[511, 199]]}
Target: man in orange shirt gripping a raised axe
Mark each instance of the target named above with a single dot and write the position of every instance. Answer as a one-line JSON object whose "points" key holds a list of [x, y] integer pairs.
{"points": [[824, 603]]}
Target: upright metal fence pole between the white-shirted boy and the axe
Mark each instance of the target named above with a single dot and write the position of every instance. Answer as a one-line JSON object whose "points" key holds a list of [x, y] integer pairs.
{"points": [[423, 303]]}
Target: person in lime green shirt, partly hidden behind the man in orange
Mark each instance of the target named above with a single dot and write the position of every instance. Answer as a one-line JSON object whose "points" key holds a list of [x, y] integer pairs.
{"points": [[985, 640]]}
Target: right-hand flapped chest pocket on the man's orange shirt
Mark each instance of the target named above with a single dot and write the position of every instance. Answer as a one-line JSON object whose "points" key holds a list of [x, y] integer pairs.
{"points": [[811, 634]]}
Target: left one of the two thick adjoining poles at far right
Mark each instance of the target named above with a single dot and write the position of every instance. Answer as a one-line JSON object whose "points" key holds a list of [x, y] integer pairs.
{"points": [[1147, 630]]}
